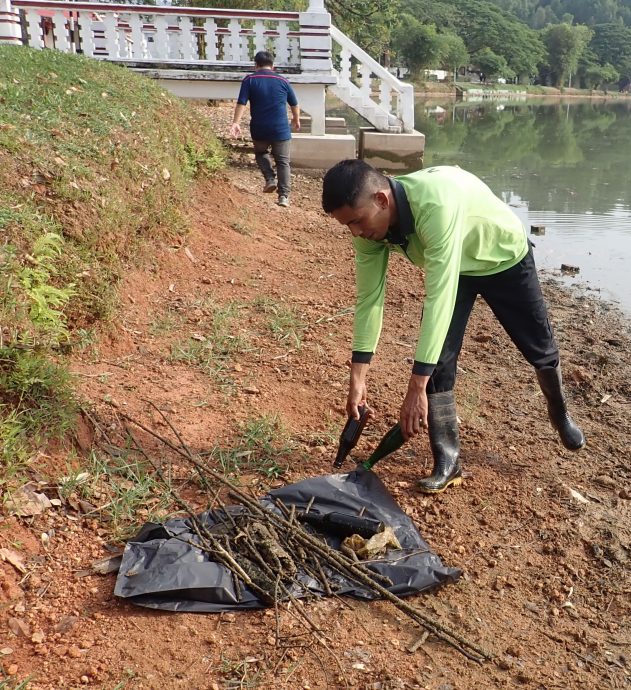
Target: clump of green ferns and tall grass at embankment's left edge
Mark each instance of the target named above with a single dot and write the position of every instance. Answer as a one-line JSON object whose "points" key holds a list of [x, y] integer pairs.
{"points": [[36, 399]]}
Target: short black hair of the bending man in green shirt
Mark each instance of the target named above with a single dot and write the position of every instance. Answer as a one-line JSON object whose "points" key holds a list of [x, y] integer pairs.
{"points": [[347, 182]]}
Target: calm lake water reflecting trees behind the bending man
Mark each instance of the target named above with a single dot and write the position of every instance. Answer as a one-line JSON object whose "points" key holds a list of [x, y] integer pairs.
{"points": [[564, 165]]}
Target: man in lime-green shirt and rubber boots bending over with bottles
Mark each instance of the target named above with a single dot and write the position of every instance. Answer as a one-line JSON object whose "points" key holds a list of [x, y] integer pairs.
{"points": [[469, 243]]}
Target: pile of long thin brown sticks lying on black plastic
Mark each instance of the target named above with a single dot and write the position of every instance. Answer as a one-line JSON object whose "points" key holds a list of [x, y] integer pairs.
{"points": [[266, 549]]}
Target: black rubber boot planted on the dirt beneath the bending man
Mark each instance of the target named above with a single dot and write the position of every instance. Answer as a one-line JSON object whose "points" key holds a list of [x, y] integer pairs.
{"points": [[444, 441]]}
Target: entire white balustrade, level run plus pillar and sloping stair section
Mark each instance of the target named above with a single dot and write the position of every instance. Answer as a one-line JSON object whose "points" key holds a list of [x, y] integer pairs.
{"points": [[165, 38]]}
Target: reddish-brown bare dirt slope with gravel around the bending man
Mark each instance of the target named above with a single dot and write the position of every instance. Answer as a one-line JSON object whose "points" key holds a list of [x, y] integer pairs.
{"points": [[545, 580]]}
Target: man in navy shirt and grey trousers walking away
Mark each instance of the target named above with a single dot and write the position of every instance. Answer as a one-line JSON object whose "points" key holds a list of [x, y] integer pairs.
{"points": [[269, 93]]}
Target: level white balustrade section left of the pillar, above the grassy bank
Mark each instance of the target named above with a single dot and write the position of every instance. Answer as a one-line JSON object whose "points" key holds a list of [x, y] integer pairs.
{"points": [[144, 33]]}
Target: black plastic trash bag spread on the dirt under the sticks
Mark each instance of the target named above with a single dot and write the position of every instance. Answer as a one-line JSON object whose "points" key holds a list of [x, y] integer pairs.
{"points": [[163, 569]]}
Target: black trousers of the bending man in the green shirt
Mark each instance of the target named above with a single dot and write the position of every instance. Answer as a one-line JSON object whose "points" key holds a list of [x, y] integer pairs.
{"points": [[516, 300]]}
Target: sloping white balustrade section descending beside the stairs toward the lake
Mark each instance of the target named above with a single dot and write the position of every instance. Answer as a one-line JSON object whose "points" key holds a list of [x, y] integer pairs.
{"points": [[369, 88]]}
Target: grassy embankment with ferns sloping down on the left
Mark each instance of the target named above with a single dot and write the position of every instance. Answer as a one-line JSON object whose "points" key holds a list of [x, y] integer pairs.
{"points": [[96, 168]]}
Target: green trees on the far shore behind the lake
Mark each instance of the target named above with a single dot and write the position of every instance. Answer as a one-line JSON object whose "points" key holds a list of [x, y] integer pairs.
{"points": [[582, 43]]}
